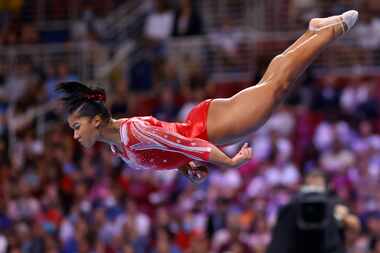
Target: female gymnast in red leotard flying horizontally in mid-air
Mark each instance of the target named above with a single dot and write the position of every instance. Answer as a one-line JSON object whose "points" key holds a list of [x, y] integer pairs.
{"points": [[145, 142]]}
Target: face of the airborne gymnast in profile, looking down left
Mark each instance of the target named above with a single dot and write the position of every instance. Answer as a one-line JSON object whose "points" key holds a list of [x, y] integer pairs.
{"points": [[86, 129]]}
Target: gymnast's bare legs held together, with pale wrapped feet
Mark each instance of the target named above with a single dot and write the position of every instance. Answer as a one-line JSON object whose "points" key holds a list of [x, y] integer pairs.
{"points": [[231, 119]]}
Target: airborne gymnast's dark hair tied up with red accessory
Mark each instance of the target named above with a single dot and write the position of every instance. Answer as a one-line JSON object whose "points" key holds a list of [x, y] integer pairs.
{"points": [[90, 102]]}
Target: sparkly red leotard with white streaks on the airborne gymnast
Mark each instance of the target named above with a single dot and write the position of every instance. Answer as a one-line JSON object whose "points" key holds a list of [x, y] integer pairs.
{"points": [[149, 143]]}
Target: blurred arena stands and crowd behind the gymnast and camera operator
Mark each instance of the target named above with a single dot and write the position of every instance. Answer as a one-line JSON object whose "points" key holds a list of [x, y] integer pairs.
{"points": [[161, 57]]}
